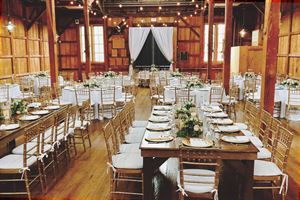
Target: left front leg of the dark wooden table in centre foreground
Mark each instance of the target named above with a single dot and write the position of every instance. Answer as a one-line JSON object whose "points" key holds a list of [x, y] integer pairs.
{"points": [[148, 175]]}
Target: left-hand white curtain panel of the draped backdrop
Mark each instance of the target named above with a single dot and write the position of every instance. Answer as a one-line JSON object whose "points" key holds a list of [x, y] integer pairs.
{"points": [[137, 39]]}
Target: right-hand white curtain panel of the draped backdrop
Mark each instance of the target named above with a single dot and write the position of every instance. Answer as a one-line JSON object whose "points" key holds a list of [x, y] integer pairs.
{"points": [[164, 39]]}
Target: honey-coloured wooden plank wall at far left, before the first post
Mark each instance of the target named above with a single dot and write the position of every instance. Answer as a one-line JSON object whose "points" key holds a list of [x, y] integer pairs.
{"points": [[22, 51]]}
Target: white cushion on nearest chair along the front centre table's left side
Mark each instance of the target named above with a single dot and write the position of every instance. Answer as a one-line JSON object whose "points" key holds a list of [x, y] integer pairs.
{"points": [[127, 161]]}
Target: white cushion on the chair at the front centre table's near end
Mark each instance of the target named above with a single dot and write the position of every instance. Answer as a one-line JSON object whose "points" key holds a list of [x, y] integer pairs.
{"points": [[202, 175]]}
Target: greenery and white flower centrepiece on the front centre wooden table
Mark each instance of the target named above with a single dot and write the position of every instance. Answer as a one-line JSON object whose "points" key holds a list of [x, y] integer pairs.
{"points": [[189, 123]]}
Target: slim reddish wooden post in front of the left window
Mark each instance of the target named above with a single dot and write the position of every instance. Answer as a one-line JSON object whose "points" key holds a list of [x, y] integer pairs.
{"points": [[87, 37]]}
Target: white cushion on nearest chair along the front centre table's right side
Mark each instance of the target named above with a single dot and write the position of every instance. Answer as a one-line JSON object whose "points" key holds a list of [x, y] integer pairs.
{"points": [[266, 168]]}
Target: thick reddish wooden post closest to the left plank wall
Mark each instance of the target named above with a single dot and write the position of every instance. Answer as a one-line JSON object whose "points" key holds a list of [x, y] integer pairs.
{"points": [[51, 26]]}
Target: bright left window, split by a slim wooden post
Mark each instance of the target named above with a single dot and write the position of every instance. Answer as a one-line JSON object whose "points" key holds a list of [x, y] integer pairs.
{"points": [[97, 39]]}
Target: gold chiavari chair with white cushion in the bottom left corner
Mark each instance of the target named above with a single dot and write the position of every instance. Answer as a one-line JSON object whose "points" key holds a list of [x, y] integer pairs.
{"points": [[22, 166]]}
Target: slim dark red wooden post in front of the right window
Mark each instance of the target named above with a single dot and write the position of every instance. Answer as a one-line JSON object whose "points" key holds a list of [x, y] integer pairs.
{"points": [[210, 36]]}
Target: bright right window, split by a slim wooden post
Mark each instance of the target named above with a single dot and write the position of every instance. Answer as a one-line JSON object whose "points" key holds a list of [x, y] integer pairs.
{"points": [[218, 42]]}
